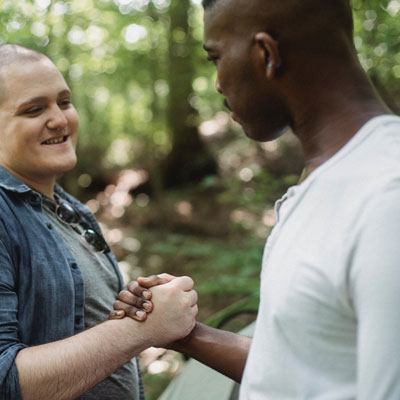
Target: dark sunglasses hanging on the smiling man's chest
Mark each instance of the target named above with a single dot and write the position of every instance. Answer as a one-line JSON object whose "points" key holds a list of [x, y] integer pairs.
{"points": [[68, 215]]}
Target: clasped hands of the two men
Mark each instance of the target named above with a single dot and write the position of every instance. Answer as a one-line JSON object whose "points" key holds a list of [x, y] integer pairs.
{"points": [[168, 304]]}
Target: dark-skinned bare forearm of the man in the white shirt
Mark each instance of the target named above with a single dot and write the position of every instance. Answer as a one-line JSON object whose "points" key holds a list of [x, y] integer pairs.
{"points": [[224, 351]]}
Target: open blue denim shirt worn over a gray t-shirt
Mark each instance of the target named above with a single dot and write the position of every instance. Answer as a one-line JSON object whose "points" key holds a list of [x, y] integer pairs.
{"points": [[41, 286]]}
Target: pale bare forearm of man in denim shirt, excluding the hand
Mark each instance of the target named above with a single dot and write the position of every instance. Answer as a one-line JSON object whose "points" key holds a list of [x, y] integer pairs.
{"points": [[67, 368]]}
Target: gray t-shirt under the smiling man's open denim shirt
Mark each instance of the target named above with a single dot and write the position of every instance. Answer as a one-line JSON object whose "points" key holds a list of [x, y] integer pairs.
{"points": [[101, 287]]}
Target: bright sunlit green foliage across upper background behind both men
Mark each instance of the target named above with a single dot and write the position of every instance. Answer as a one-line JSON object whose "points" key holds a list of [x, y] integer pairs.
{"points": [[115, 55]]}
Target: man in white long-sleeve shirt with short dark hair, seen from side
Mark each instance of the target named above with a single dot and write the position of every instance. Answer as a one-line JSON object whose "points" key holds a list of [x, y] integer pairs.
{"points": [[328, 320]]}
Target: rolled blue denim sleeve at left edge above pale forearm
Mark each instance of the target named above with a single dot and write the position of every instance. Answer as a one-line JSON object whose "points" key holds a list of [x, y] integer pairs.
{"points": [[9, 337]]}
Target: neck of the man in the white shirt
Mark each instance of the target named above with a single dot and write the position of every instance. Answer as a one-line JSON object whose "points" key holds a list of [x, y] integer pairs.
{"points": [[330, 105]]}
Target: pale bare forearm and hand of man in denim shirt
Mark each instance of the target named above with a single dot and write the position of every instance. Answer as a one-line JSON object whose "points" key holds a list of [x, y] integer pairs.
{"points": [[68, 368]]}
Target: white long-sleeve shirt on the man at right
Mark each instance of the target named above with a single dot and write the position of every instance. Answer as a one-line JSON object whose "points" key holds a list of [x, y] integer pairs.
{"points": [[329, 320]]}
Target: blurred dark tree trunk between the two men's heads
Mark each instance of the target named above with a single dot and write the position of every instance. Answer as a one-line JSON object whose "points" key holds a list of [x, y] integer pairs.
{"points": [[189, 160]]}
